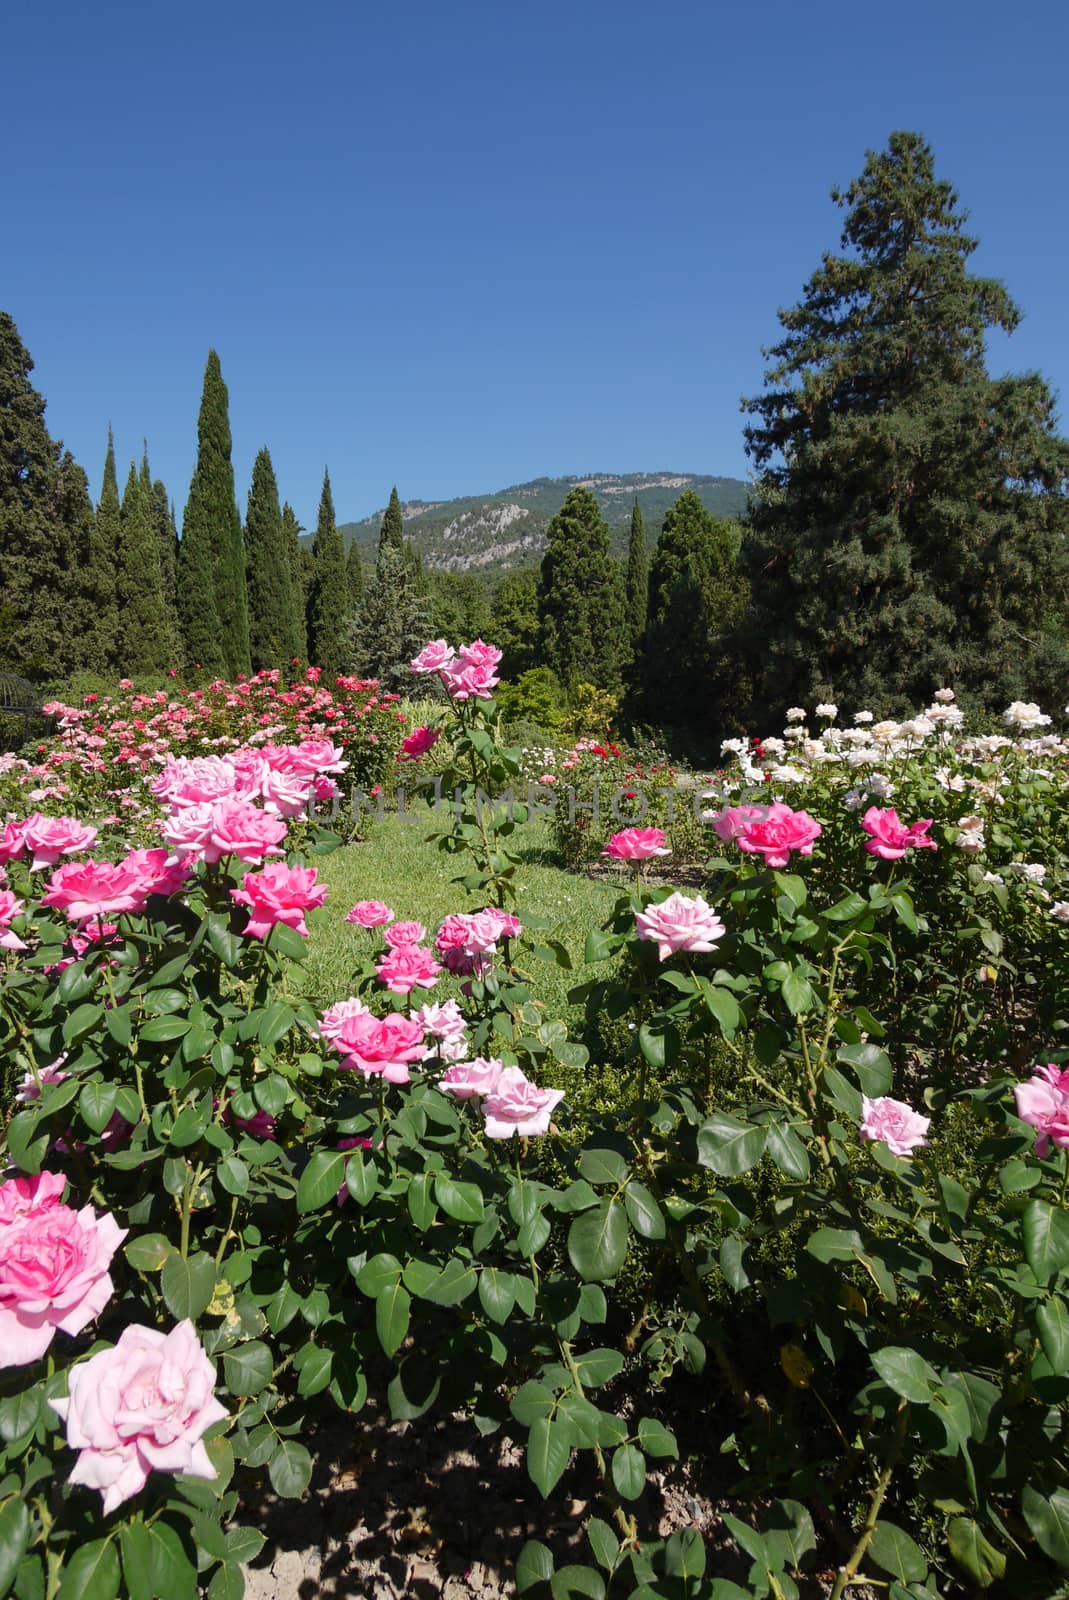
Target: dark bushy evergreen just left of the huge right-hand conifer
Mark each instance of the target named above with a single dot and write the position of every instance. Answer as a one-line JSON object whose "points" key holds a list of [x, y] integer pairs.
{"points": [[697, 601]]}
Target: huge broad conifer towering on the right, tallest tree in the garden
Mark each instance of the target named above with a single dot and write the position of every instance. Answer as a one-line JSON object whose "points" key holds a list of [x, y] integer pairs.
{"points": [[911, 521]]}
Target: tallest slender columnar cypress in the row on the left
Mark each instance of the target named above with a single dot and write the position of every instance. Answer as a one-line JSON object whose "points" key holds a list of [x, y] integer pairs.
{"points": [[212, 598]]}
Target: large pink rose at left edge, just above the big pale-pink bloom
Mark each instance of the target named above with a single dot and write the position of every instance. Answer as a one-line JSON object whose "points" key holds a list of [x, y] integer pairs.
{"points": [[54, 1271]]}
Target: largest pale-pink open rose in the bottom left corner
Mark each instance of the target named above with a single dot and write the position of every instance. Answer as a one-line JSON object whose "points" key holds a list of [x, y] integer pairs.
{"points": [[143, 1406]]}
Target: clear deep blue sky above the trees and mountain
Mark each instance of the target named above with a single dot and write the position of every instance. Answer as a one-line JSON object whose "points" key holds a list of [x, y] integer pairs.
{"points": [[455, 246]]}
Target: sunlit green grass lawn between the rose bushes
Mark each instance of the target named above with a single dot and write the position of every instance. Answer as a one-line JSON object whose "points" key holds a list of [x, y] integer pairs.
{"points": [[412, 876]]}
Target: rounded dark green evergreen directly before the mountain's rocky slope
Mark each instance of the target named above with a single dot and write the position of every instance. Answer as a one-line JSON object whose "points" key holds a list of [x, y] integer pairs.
{"points": [[580, 601]]}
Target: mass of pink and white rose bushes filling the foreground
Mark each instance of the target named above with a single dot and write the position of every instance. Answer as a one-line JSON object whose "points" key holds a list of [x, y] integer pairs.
{"points": [[812, 1228]]}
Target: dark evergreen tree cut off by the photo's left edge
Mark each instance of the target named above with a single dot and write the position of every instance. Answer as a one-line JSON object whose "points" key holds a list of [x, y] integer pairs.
{"points": [[39, 554]]}
